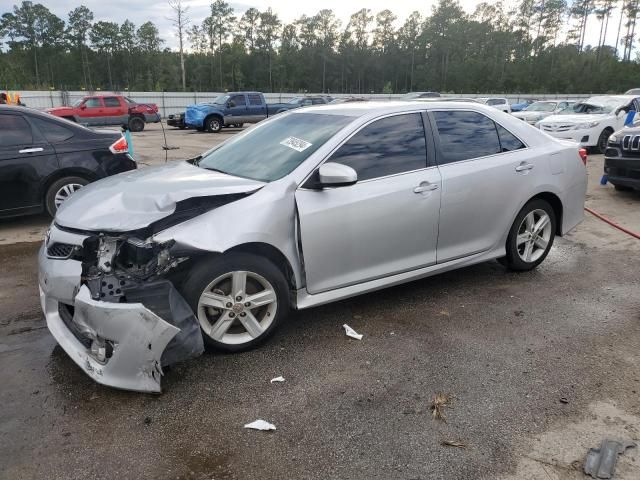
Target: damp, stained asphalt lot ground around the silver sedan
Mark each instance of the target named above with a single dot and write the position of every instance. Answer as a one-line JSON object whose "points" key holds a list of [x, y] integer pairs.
{"points": [[543, 365]]}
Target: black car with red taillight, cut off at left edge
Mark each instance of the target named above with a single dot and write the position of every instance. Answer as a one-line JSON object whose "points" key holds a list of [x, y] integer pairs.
{"points": [[44, 159]]}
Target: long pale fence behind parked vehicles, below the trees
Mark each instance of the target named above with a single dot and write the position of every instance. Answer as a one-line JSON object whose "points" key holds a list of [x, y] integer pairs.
{"points": [[174, 102]]}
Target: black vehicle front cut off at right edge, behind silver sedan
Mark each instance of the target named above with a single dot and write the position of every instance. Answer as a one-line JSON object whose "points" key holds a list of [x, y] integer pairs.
{"points": [[622, 159]]}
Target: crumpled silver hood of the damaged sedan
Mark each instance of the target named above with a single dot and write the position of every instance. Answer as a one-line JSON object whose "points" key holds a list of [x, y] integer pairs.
{"points": [[135, 199]]}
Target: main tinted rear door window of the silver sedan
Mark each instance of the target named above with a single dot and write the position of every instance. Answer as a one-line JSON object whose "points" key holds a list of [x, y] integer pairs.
{"points": [[465, 135]]}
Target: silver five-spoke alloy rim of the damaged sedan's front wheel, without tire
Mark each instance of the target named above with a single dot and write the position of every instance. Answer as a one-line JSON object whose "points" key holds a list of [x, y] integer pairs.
{"points": [[237, 307]]}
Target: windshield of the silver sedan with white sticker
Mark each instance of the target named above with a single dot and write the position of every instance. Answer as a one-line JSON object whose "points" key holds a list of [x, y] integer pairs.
{"points": [[273, 149]]}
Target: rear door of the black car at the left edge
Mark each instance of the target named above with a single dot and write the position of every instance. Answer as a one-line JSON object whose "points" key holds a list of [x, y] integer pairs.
{"points": [[26, 160]]}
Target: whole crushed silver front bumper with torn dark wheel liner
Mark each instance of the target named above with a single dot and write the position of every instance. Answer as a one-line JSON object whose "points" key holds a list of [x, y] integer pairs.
{"points": [[122, 345]]}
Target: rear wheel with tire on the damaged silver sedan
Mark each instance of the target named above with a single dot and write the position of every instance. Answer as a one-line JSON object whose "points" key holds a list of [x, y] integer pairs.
{"points": [[531, 236]]}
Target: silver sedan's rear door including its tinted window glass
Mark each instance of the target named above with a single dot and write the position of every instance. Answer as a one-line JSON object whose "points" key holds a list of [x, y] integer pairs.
{"points": [[486, 171]]}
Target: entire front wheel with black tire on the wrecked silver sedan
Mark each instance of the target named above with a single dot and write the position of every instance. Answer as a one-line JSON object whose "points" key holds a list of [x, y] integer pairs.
{"points": [[239, 300]]}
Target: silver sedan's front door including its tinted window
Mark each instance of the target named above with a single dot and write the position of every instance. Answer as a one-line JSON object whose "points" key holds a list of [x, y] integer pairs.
{"points": [[384, 224]]}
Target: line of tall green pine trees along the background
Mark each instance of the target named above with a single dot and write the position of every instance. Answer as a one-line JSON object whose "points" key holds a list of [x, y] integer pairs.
{"points": [[537, 46]]}
